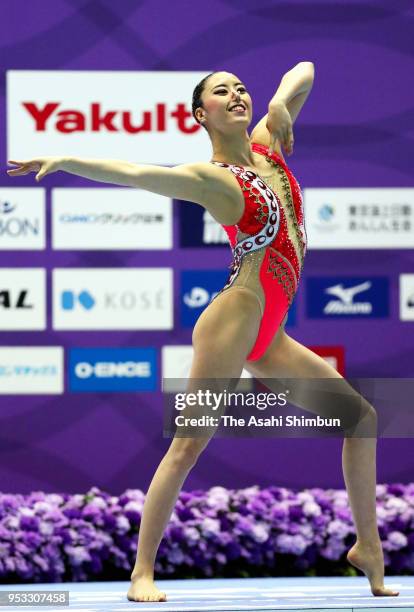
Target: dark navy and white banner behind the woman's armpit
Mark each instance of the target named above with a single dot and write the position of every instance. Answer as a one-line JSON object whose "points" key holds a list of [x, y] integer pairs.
{"points": [[199, 229]]}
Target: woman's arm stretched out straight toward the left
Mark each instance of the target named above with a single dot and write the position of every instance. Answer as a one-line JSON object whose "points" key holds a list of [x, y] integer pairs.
{"points": [[202, 183]]}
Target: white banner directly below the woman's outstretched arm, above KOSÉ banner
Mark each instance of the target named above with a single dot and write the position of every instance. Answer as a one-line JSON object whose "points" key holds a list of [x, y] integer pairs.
{"points": [[108, 219]]}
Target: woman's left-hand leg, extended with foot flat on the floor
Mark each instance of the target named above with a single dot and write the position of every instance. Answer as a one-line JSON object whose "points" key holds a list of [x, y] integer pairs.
{"points": [[222, 338]]}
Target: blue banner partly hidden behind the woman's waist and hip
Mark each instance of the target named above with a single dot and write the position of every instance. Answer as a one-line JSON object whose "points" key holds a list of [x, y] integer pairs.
{"points": [[198, 287]]}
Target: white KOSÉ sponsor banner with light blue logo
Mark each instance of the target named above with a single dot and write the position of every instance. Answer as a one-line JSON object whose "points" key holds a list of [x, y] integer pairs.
{"points": [[113, 298]]}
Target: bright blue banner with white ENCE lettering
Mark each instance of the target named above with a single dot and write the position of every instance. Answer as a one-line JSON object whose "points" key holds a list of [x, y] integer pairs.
{"points": [[112, 369]]}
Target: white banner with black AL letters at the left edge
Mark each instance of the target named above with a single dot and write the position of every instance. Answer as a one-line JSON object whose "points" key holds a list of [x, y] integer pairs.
{"points": [[22, 298]]}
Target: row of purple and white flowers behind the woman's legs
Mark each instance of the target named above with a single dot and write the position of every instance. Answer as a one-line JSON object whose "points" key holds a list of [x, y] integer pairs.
{"points": [[255, 531]]}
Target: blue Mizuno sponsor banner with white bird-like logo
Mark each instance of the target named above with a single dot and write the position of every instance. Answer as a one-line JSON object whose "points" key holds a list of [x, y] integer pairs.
{"points": [[347, 297]]}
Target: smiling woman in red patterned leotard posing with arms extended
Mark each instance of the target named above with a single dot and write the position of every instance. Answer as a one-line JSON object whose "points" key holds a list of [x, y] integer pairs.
{"points": [[248, 188]]}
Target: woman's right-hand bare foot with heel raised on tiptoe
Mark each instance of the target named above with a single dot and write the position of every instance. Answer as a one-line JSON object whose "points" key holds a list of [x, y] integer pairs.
{"points": [[370, 560]]}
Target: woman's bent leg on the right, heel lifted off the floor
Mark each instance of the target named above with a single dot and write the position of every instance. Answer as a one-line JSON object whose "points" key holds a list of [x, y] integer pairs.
{"points": [[287, 358]]}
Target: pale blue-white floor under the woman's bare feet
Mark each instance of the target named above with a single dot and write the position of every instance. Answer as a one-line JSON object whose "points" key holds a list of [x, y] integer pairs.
{"points": [[302, 594]]}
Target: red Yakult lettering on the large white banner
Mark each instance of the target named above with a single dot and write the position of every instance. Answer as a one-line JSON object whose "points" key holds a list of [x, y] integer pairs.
{"points": [[52, 117]]}
